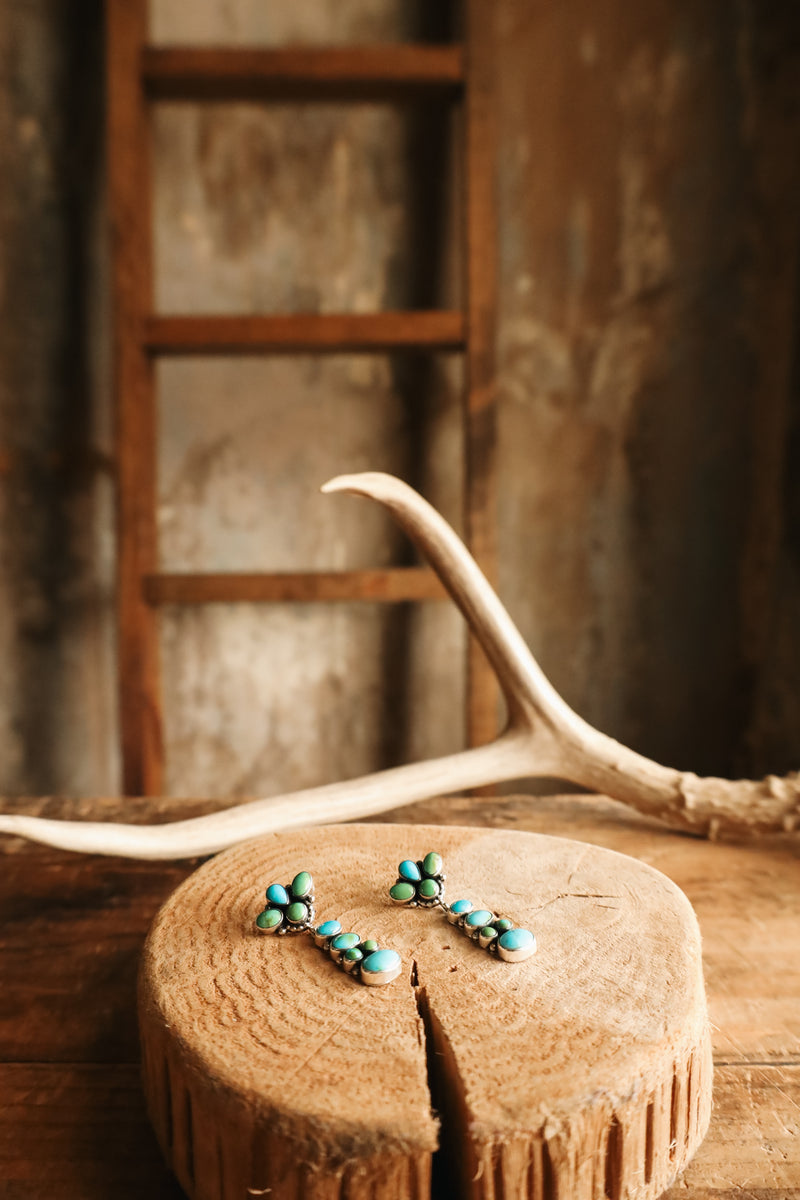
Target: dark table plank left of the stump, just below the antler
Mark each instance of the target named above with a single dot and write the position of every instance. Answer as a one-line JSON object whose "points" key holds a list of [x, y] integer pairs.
{"points": [[73, 931]]}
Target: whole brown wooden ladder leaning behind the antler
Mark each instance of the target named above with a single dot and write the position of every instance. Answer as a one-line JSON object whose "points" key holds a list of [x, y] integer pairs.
{"points": [[140, 75]]}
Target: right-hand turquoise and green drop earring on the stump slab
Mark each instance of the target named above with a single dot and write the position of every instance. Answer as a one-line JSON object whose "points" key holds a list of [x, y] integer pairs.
{"points": [[423, 885]]}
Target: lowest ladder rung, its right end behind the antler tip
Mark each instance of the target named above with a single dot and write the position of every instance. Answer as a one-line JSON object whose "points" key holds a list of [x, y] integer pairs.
{"points": [[394, 584]]}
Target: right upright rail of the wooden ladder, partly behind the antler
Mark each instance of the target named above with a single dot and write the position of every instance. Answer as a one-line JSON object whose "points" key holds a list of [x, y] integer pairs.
{"points": [[480, 283]]}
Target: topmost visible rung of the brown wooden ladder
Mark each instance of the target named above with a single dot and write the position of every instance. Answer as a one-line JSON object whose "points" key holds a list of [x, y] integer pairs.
{"points": [[359, 73]]}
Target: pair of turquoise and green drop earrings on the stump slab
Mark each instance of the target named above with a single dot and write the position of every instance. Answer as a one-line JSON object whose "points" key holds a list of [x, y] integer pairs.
{"points": [[291, 910]]}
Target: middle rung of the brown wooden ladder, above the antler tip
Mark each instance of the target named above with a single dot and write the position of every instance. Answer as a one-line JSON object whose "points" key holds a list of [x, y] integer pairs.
{"points": [[308, 334]]}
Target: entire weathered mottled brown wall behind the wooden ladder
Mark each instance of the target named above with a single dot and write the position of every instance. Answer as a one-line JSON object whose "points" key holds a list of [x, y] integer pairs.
{"points": [[648, 178]]}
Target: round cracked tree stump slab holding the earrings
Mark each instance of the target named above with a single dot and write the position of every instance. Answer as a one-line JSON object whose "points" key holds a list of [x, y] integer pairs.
{"points": [[582, 1073]]}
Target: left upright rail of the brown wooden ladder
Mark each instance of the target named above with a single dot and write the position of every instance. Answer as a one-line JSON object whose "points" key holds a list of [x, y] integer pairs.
{"points": [[129, 159]]}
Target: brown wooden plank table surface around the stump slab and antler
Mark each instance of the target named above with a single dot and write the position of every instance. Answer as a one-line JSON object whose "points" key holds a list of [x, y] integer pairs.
{"points": [[73, 1121]]}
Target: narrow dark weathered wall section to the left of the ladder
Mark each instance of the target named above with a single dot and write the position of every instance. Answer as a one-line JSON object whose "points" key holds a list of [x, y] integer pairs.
{"points": [[57, 653]]}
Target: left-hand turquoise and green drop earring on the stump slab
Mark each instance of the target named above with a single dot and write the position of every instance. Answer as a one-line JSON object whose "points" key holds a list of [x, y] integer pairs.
{"points": [[291, 910]]}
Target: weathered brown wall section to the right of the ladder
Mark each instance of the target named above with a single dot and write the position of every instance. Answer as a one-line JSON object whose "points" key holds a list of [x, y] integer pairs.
{"points": [[651, 183]]}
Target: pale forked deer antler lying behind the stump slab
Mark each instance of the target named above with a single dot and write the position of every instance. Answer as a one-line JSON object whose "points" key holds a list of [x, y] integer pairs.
{"points": [[544, 737]]}
